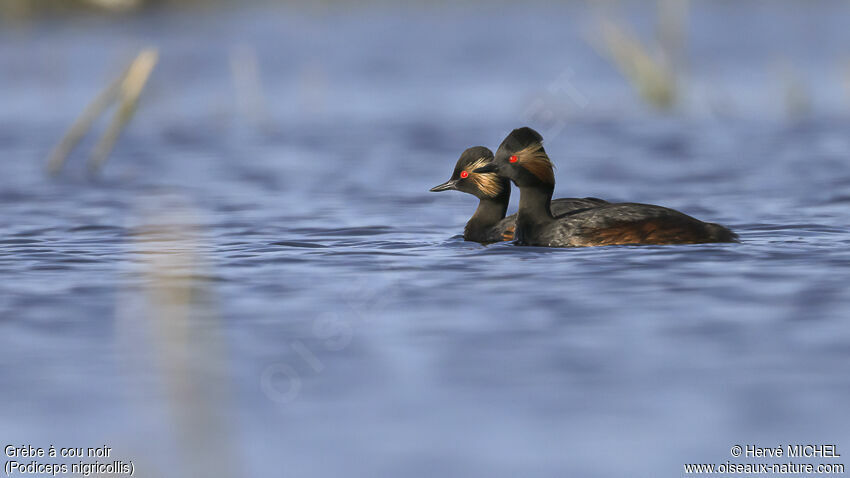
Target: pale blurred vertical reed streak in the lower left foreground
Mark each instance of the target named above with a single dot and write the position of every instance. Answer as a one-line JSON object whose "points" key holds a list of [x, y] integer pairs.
{"points": [[186, 341]]}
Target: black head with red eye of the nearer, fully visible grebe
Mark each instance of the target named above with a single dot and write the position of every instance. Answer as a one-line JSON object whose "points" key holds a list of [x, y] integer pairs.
{"points": [[522, 159]]}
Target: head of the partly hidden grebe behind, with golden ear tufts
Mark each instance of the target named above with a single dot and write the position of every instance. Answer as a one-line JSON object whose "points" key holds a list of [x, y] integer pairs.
{"points": [[464, 178]]}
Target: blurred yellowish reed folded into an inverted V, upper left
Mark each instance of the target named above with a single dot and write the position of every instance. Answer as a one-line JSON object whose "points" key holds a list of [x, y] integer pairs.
{"points": [[126, 89]]}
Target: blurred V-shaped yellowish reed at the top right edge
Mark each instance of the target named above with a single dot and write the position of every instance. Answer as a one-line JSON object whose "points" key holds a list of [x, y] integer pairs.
{"points": [[653, 71]]}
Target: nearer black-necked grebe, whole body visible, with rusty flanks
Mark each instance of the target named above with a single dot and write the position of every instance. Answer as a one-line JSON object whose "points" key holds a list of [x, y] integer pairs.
{"points": [[522, 159]]}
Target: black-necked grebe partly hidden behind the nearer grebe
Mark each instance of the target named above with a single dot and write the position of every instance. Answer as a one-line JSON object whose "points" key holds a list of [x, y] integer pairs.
{"points": [[489, 223]]}
